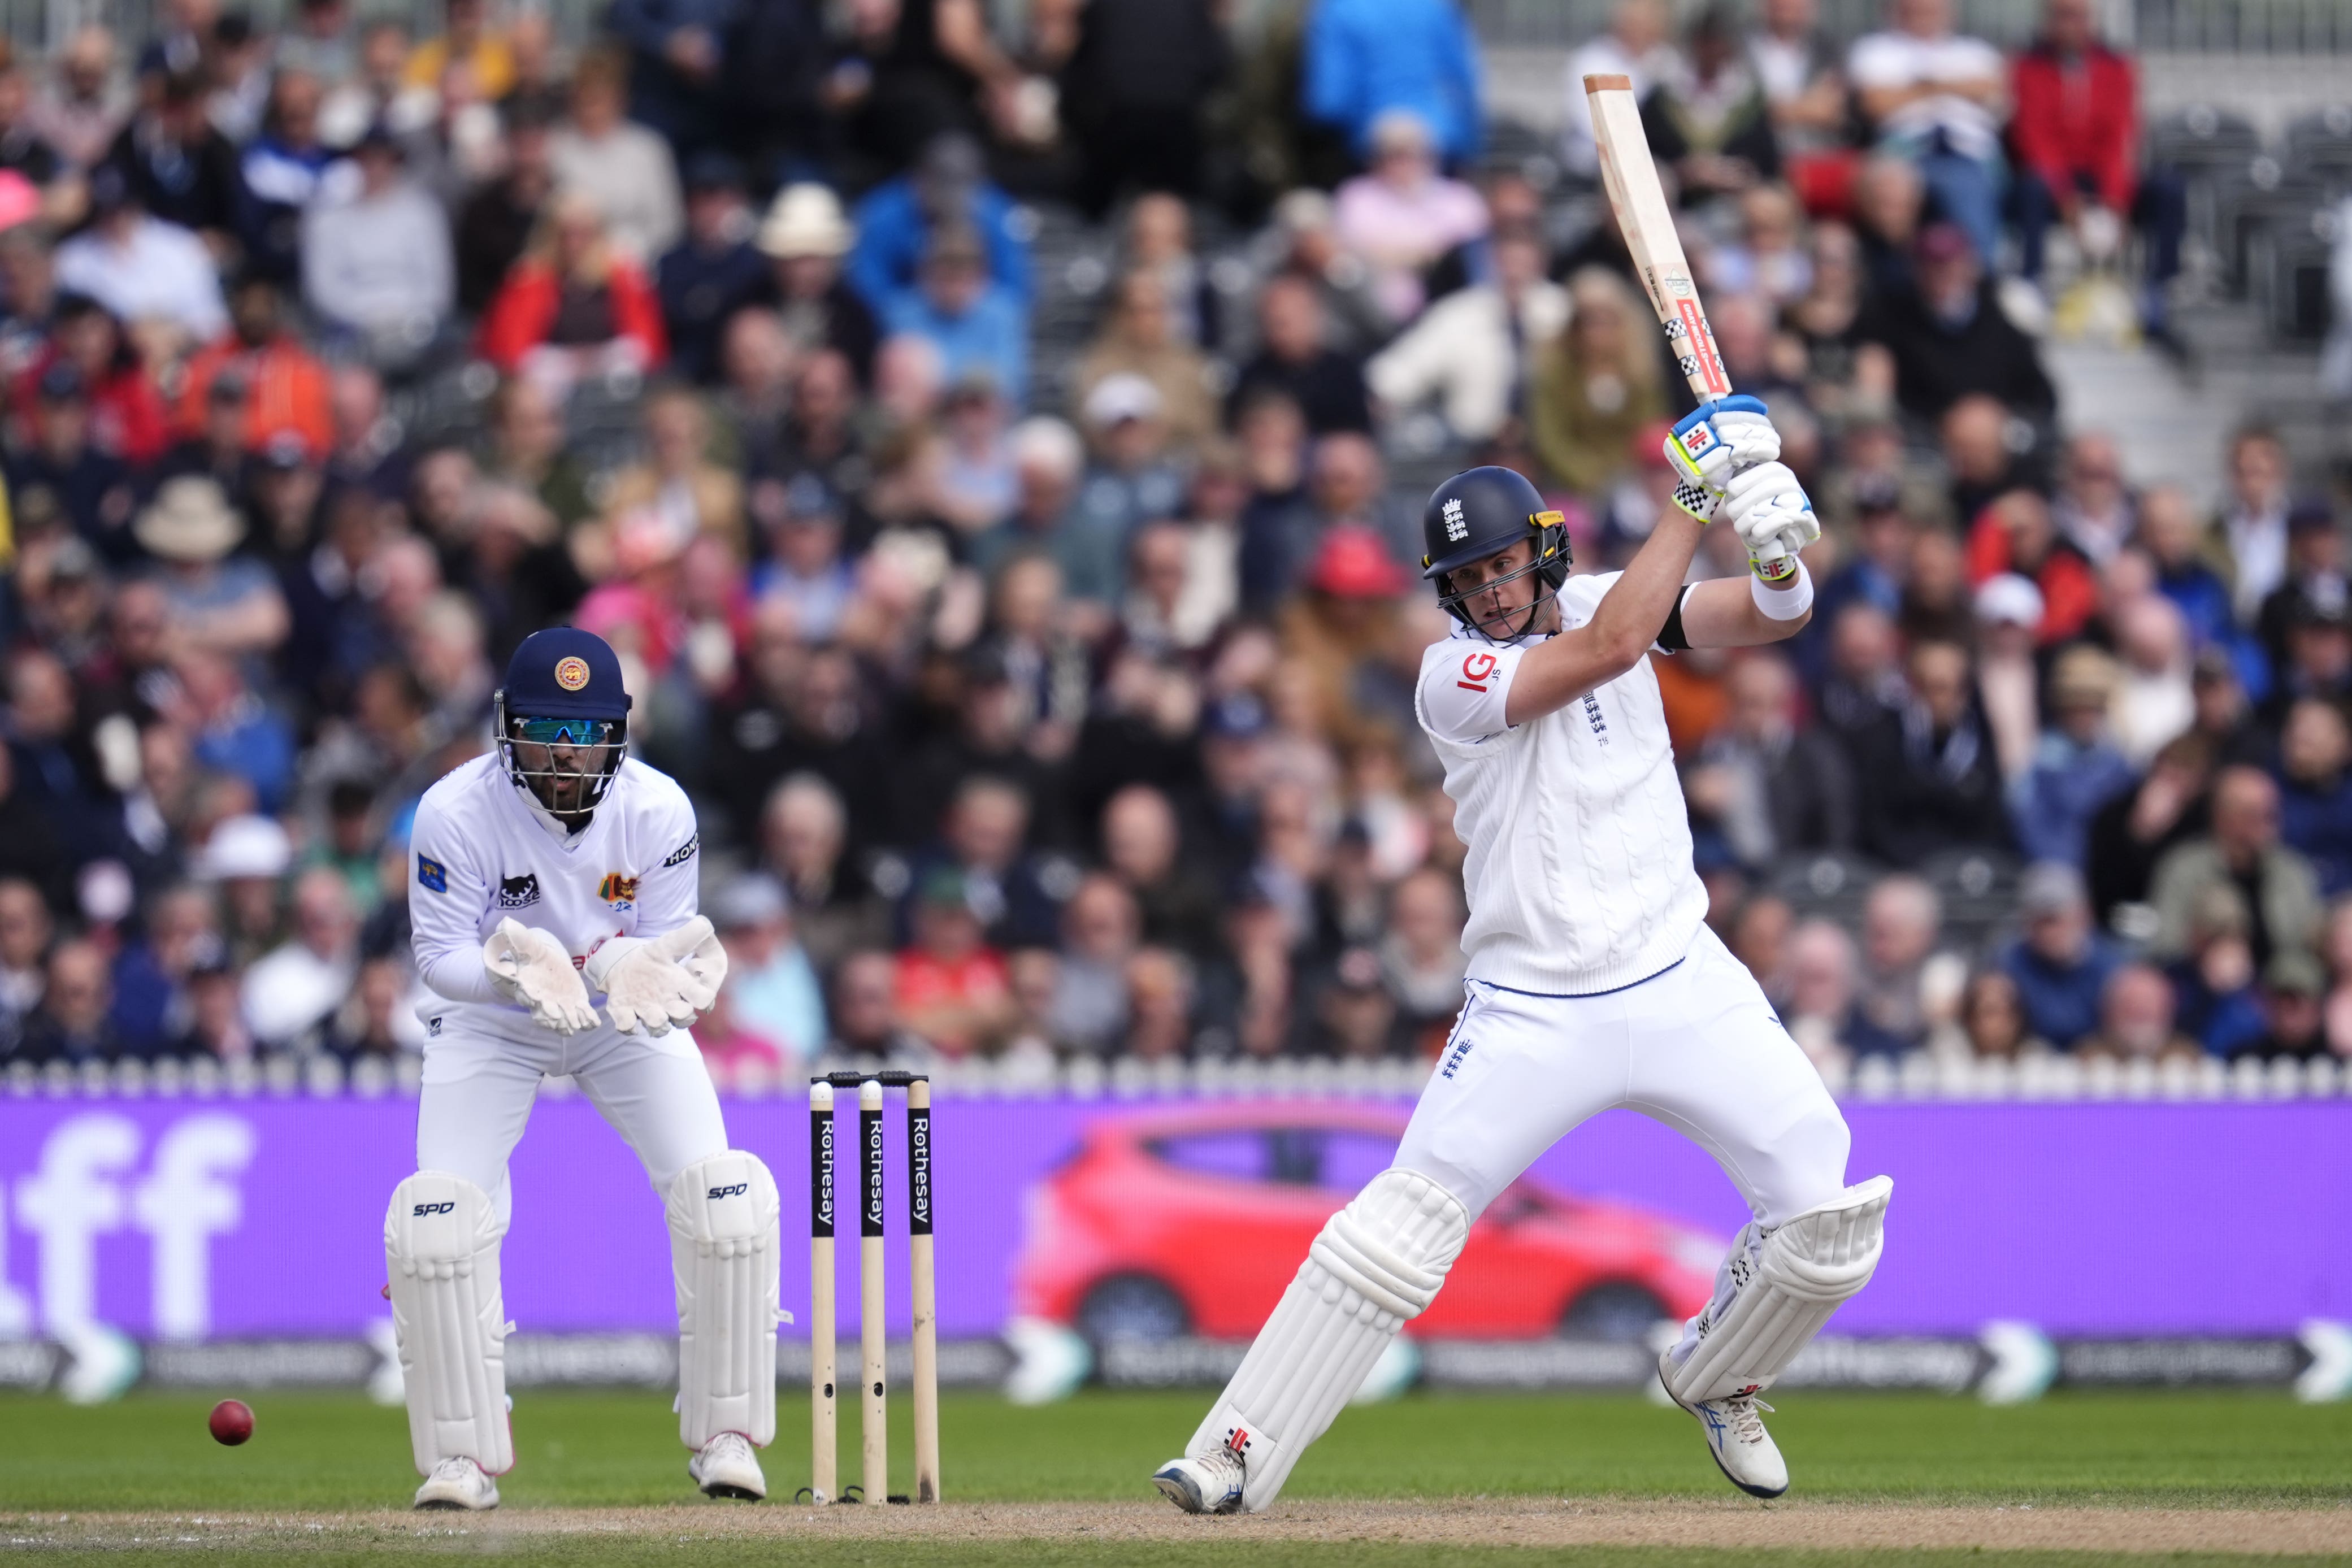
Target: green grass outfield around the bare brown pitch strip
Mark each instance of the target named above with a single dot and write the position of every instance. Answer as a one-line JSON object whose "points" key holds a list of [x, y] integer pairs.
{"points": [[338, 1454]]}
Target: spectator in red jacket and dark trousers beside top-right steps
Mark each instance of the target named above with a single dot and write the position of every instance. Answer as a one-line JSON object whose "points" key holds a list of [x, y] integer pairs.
{"points": [[2076, 138]]}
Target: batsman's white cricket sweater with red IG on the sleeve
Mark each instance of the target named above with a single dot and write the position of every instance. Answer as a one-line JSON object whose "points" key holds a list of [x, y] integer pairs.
{"points": [[1579, 873]]}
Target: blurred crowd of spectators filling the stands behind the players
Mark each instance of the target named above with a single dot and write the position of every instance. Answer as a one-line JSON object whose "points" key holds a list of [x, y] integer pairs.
{"points": [[1036, 634]]}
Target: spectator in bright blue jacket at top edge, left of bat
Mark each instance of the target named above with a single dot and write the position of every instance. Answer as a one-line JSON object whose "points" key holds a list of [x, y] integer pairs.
{"points": [[1368, 58]]}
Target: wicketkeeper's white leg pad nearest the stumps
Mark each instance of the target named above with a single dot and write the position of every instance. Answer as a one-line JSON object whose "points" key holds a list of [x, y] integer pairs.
{"points": [[726, 1252]]}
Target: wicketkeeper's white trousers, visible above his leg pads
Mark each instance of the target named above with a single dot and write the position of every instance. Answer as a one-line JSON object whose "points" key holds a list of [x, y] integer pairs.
{"points": [[479, 1094]]}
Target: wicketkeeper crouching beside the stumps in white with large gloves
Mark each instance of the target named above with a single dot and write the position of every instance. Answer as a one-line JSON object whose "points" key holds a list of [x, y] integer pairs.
{"points": [[556, 876]]}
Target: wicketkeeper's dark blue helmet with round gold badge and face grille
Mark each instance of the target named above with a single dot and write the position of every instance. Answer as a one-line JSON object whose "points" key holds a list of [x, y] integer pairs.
{"points": [[563, 718]]}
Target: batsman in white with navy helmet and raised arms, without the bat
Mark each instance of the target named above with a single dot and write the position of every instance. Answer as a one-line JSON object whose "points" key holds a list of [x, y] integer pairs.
{"points": [[1593, 979]]}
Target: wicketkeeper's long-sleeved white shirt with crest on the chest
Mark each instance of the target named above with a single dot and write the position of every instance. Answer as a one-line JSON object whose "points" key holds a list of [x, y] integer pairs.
{"points": [[483, 852]]}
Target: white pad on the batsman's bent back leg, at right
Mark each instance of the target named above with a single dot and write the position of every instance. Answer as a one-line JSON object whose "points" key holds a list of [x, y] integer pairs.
{"points": [[1782, 1292]]}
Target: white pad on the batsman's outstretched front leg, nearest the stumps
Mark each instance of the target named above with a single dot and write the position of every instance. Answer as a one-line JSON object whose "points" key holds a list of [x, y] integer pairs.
{"points": [[1375, 1268]]}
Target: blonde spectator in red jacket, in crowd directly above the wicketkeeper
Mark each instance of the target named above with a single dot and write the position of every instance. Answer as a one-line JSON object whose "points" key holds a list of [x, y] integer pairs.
{"points": [[573, 304]]}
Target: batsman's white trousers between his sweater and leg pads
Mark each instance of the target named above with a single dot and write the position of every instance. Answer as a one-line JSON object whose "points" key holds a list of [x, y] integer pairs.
{"points": [[1695, 1047]]}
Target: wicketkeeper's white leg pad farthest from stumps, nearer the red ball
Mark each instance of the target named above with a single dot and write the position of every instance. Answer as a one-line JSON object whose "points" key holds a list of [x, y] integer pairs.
{"points": [[441, 1252]]}
